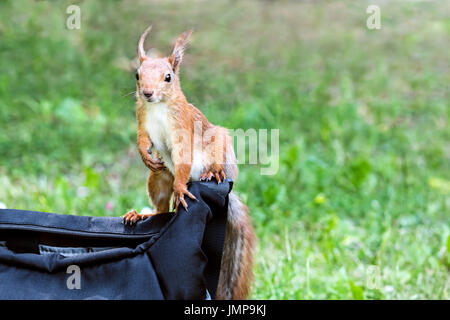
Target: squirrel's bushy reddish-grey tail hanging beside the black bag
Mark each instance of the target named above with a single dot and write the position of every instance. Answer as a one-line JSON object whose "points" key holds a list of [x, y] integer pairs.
{"points": [[236, 272]]}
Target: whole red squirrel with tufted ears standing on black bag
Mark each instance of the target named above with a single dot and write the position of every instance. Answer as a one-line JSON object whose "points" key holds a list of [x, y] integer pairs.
{"points": [[167, 123]]}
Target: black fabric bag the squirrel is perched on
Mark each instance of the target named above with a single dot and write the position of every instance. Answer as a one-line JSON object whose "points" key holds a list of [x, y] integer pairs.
{"points": [[169, 256]]}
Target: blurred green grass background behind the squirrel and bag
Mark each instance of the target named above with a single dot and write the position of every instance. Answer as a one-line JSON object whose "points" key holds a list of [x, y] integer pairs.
{"points": [[359, 208]]}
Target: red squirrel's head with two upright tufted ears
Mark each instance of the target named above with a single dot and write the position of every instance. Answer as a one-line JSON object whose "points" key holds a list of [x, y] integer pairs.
{"points": [[157, 78]]}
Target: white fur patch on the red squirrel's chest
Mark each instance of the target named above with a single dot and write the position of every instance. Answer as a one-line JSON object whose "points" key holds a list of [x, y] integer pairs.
{"points": [[157, 126]]}
